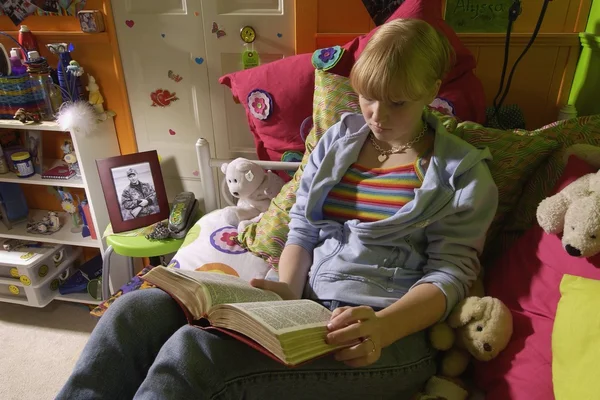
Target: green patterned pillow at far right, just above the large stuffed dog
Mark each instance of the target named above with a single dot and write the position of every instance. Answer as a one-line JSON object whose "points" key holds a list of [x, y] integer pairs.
{"points": [[584, 130]]}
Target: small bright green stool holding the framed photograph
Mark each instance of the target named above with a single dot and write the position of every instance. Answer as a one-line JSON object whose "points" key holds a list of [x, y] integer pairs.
{"points": [[130, 247]]}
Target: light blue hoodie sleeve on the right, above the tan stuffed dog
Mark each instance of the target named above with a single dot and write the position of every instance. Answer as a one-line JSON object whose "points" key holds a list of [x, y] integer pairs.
{"points": [[456, 241]]}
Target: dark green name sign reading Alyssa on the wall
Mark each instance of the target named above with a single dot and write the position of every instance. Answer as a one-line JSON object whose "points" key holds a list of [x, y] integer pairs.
{"points": [[487, 16]]}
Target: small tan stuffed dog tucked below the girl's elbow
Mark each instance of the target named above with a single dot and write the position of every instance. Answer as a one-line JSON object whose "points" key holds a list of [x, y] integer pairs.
{"points": [[480, 327]]}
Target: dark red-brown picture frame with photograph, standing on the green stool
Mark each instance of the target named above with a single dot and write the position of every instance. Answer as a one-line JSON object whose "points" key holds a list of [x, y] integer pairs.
{"points": [[134, 190]]}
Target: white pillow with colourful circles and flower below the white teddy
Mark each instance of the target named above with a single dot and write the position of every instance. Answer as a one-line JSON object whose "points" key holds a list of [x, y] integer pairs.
{"points": [[210, 246]]}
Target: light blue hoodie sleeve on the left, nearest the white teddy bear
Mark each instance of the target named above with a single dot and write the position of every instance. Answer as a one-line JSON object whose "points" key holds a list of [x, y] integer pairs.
{"points": [[302, 232]]}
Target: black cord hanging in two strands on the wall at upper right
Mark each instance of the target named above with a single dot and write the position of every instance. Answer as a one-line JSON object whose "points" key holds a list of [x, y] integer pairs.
{"points": [[514, 12]]}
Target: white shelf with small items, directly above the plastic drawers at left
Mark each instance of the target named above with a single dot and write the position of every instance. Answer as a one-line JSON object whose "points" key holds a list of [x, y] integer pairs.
{"points": [[63, 236]]}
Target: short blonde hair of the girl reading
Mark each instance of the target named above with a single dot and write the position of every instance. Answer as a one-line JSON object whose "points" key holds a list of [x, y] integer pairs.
{"points": [[402, 60]]}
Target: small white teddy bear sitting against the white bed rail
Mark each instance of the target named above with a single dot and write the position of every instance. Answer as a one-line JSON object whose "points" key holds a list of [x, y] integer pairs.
{"points": [[253, 187]]}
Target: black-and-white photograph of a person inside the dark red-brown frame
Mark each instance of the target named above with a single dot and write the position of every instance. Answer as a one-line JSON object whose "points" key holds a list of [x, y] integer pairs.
{"points": [[136, 191]]}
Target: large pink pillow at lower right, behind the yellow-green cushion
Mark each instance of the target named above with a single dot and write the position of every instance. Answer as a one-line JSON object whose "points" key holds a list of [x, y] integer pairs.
{"points": [[527, 280]]}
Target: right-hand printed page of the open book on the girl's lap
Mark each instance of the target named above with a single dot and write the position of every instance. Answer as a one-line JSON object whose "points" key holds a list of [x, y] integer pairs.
{"points": [[286, 316]]}
